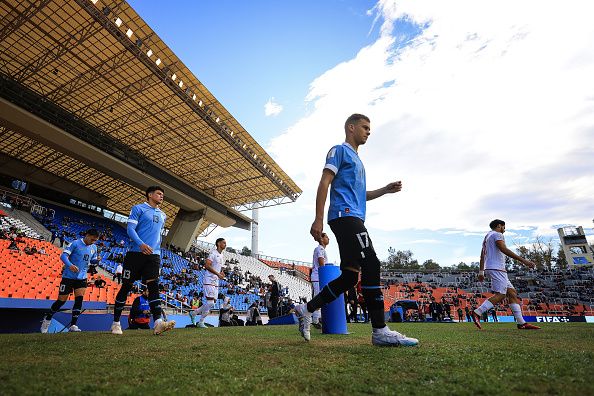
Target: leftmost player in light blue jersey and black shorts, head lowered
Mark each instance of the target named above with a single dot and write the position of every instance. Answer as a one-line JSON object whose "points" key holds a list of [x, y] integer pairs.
{"points": [[76, 259]]}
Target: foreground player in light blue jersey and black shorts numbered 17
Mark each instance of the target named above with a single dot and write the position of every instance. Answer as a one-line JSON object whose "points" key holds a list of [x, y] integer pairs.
{"points": [[345, 175]]}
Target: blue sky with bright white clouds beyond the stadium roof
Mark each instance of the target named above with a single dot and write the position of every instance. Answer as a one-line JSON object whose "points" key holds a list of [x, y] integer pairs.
{"points": [[482, 109]]}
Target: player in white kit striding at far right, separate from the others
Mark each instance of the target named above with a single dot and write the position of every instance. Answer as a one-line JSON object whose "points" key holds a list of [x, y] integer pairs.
{"points": [[493, 266]]}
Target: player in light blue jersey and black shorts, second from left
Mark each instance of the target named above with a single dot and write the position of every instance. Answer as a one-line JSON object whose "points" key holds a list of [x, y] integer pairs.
{"points": [[145, 224]]}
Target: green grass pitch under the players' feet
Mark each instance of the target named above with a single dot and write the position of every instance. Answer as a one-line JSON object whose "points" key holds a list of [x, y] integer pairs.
{"points": [[451, 359]]}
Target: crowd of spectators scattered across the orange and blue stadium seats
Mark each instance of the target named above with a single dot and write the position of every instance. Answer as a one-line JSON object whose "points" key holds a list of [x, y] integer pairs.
{"points": [[445, 295]]}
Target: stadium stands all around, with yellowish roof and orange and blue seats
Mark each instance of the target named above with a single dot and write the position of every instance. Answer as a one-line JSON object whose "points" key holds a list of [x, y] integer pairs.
{"points": [[94, 107]]}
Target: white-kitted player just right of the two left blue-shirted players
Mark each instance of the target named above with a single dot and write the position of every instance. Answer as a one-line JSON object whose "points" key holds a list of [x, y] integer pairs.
{"points": [[213, 272]]}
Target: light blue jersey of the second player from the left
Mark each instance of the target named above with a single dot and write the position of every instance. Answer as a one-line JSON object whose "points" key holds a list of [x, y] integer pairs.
{"points": [[145, 225]]}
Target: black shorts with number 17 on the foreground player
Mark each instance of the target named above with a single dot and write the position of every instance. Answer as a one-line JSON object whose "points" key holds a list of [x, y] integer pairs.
{"points": [[356, 248]]}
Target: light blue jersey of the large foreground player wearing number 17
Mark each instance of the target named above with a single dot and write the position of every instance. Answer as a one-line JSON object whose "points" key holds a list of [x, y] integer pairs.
{"points": [[348, 192]]}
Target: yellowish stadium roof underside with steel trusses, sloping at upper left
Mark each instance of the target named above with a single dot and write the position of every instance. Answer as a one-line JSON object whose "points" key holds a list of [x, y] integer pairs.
{"points": [[100, 62]]}
